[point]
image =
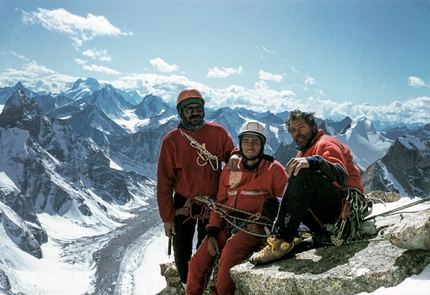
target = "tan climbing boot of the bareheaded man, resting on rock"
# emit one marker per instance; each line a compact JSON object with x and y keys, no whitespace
{"x":275,"y":249}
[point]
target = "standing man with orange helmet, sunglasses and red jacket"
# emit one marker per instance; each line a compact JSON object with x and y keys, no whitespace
{"x":189,"y":165}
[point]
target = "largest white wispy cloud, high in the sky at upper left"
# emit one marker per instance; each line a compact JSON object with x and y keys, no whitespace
{"x":78,"y":28}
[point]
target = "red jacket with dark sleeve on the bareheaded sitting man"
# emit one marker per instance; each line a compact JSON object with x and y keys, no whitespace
{"x":334,"y":161}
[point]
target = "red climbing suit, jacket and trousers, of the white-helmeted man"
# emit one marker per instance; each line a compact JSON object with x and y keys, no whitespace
{"x":245,"y":190}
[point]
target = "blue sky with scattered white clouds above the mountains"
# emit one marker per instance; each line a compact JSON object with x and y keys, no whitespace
{"x":337,"y":58}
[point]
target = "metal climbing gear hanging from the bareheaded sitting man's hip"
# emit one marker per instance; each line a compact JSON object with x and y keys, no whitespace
{"x":351,"y":226}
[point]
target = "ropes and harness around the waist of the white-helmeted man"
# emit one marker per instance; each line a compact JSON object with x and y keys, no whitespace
{"x":237,"y":222}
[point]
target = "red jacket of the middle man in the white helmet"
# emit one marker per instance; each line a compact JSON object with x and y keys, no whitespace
{"x":247,"y":190}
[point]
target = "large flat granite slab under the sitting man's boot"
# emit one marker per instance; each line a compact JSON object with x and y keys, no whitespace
{"x":348,"y":269}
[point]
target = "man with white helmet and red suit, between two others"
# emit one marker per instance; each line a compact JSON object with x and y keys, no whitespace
{"x":257,"y":178}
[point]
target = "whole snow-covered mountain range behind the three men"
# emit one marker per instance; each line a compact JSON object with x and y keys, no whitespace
{"x":77,"y":175}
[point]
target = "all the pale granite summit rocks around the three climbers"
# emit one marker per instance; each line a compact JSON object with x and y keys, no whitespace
{"x":401,"y":249}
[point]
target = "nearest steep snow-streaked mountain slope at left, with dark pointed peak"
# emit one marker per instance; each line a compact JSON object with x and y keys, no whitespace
{"x":50,"y":173}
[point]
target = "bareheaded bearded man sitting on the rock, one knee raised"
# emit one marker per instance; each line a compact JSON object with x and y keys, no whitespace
{"x":318,"y":180}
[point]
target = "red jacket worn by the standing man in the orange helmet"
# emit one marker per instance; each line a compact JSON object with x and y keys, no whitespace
{"x":183,"y":170}
